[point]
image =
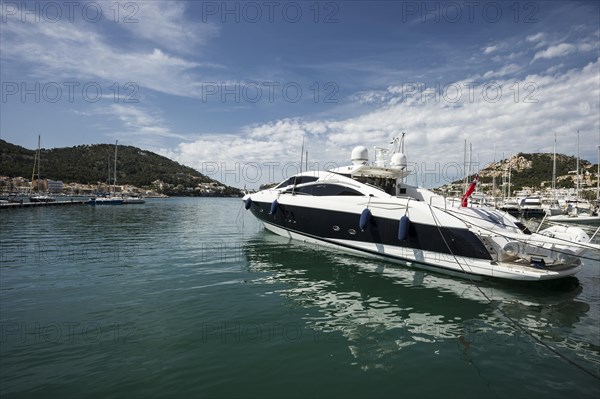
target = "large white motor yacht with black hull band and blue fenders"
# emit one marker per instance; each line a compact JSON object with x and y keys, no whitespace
{"x":369,"y":209}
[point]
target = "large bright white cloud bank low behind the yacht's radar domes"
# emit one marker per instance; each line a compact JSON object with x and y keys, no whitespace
{"x":524,"y":118}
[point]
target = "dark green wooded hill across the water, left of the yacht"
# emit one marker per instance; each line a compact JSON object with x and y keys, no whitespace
{"x":90,"y":164}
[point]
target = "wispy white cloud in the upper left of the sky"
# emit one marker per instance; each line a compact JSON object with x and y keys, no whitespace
{"x":67,"y":50}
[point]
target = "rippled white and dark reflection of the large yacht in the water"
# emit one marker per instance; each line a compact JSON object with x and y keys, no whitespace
{"x":380,"y":307}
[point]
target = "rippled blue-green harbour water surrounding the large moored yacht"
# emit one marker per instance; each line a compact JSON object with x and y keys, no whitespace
{"x":191,"y":297}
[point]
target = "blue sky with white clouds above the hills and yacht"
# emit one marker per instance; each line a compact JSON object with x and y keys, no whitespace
{"x":233,"y":88}
